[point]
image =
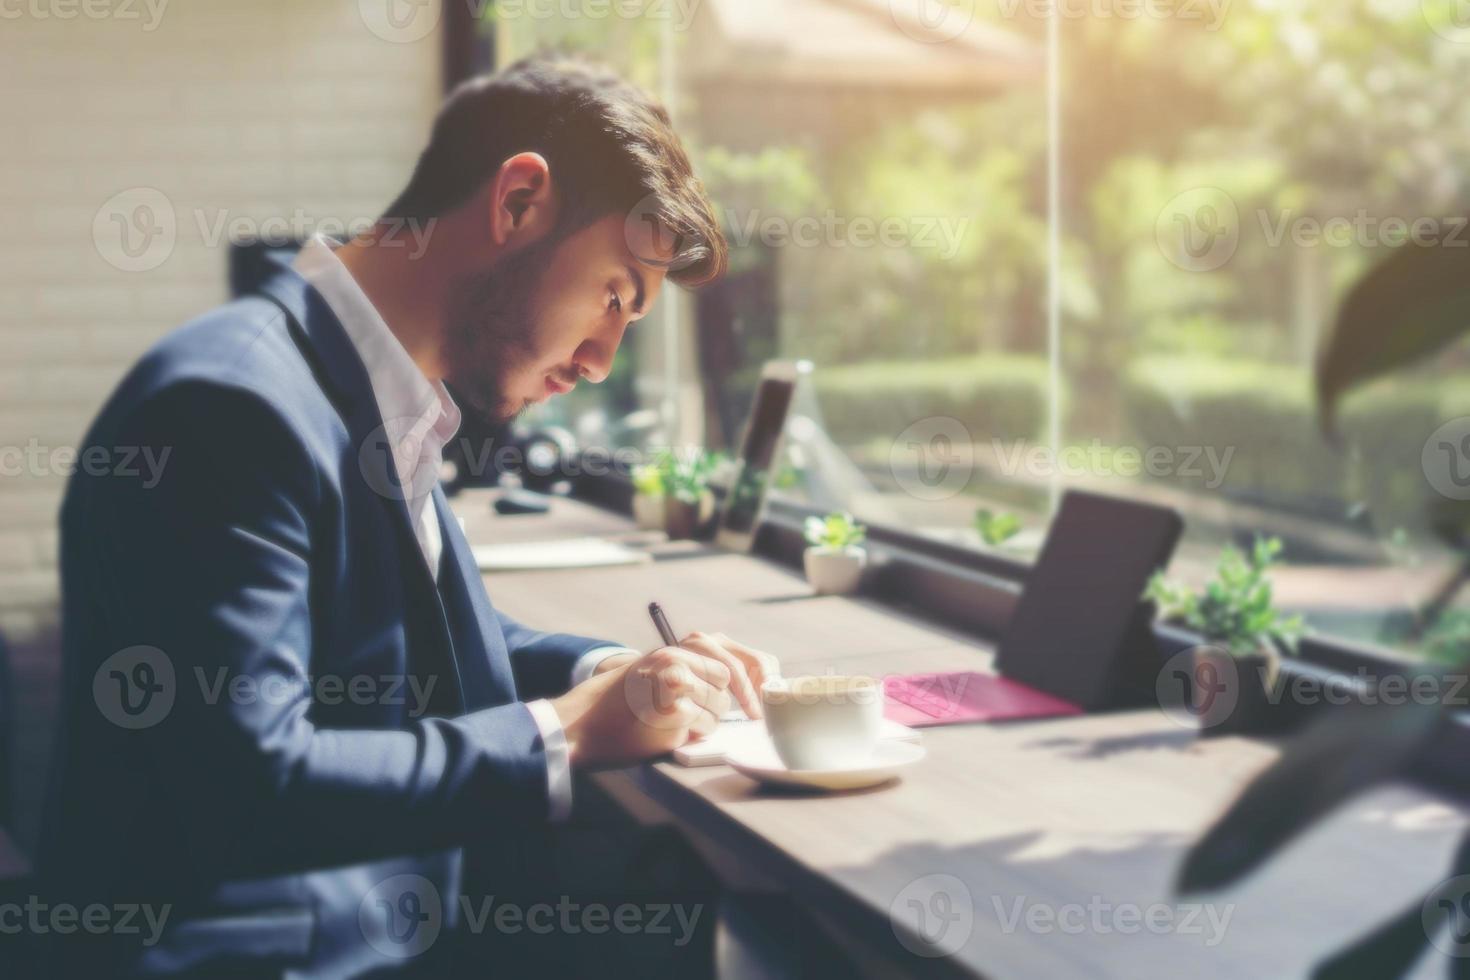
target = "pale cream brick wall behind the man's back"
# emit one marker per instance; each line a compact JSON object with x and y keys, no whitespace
{"x":209,"y":114}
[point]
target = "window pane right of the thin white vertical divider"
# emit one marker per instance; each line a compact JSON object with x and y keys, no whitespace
{"x":1227,"y":180}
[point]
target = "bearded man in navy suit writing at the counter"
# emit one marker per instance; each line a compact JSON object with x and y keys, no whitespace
{"x":289,"y":702}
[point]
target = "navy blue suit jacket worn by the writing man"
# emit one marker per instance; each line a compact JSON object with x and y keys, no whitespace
{"x":239,"y":740}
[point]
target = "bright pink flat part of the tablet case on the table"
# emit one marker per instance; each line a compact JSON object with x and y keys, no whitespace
{"x":953,"y":699}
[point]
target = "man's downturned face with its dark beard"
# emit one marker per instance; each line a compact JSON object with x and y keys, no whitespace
{"x":546,"y":317}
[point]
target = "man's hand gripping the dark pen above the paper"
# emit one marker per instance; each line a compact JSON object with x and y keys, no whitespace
{"x":645,"y":707}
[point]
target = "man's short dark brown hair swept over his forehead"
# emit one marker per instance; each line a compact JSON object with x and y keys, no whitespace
{"x":611,"y":148}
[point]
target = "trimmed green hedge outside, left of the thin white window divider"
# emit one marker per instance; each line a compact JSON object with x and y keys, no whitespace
{"x":996,"y":396}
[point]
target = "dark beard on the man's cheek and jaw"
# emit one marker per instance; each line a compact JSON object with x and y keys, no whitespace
{"x":490,"y":331}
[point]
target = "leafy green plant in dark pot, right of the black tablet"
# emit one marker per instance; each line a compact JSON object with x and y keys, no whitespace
{"x":1236,"y":672}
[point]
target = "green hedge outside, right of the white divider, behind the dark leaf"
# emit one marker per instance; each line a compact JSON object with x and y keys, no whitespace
{"x":1268,"y":415}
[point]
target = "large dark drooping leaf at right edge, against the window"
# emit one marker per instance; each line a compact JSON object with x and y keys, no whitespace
{"x":1413,"y":305}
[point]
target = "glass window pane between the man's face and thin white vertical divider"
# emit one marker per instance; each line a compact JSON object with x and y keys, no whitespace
{"x":877,"y":171}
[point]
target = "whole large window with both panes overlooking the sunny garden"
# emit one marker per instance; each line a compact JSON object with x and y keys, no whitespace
{"x":1141,"y":321}
